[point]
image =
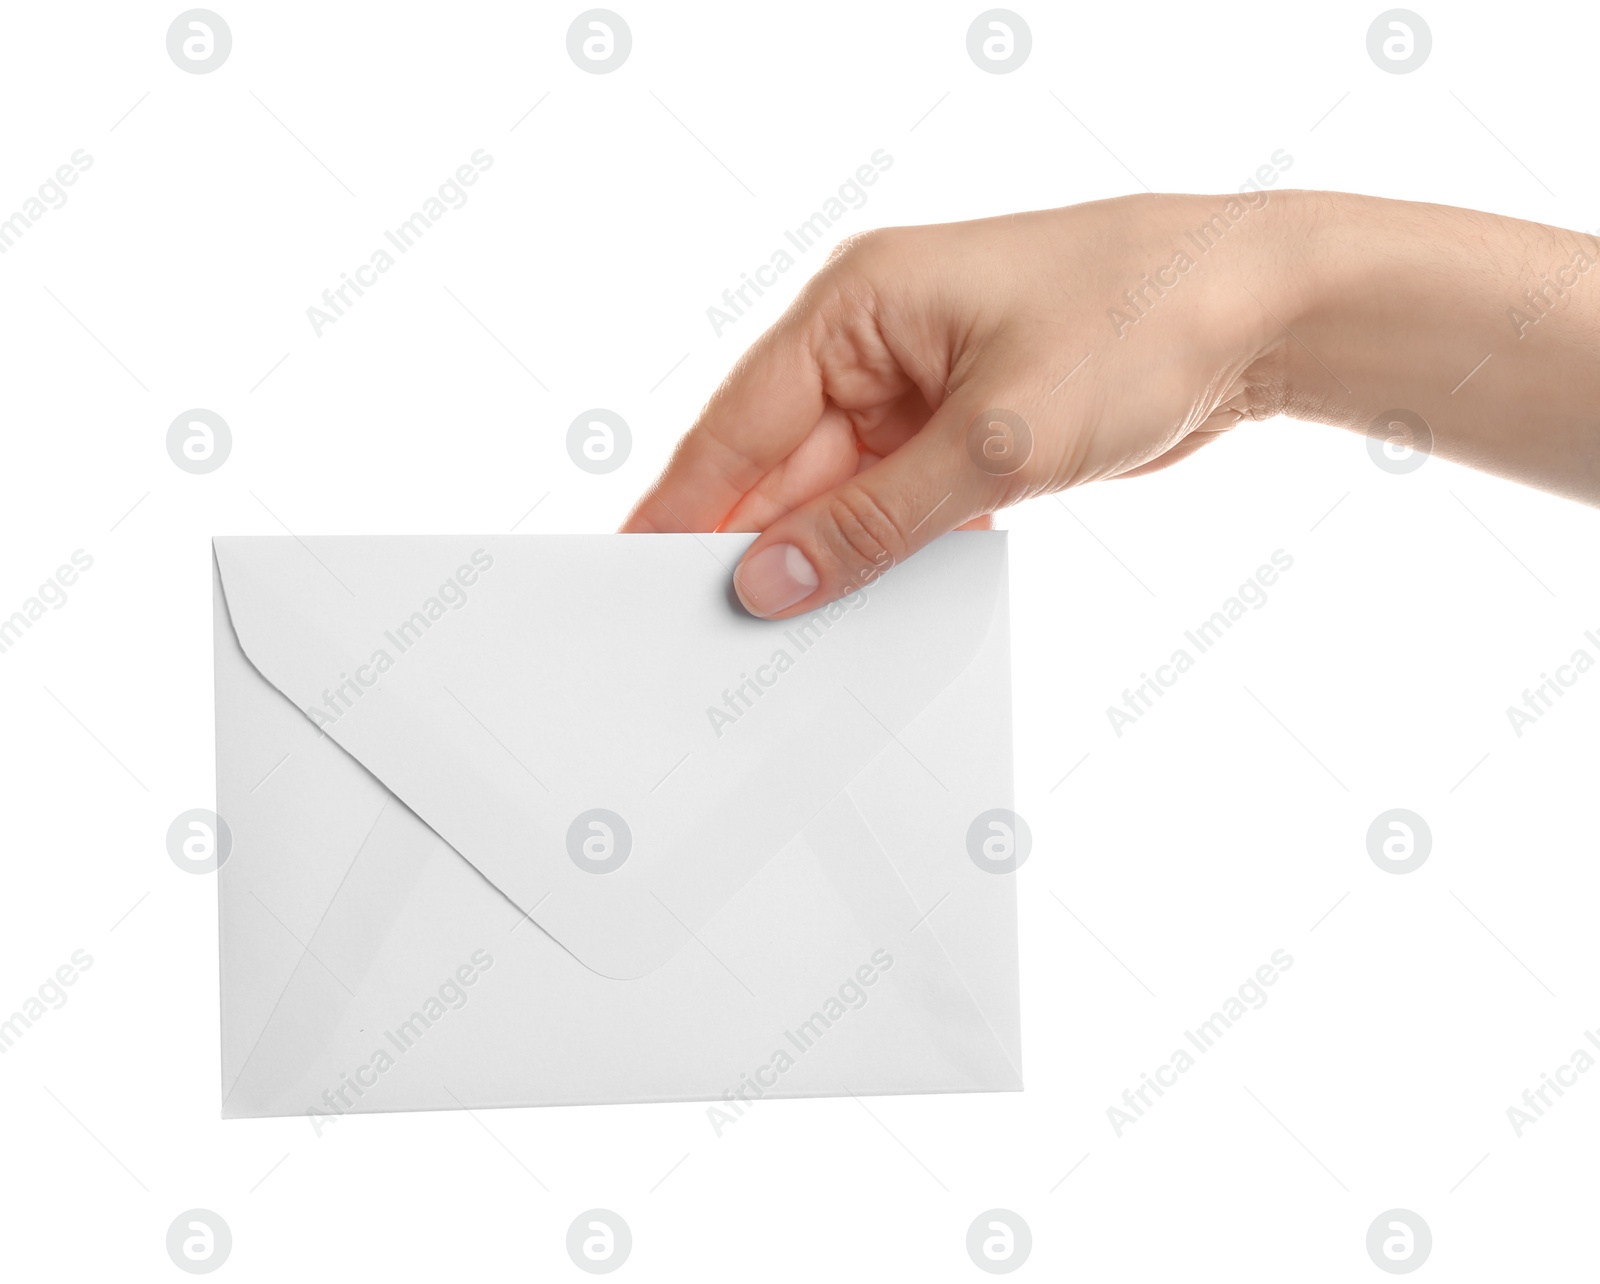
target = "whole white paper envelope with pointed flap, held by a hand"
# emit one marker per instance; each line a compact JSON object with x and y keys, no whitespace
{"x":420,"y":907}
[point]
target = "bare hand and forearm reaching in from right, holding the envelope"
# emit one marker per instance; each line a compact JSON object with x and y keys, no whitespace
{"x":863,"y":425}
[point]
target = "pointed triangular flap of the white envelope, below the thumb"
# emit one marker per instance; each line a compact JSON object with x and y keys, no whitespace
{"x":551,"y":704}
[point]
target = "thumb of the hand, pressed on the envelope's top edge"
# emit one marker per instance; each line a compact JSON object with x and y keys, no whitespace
{"x":959,"y":467}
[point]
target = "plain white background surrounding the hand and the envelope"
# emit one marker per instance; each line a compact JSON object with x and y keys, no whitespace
{"x":1177,"y":859}
